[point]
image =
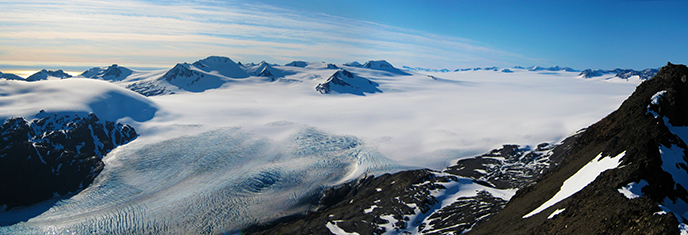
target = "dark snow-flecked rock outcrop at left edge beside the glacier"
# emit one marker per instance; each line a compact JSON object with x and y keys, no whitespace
{"x":54,"y":155}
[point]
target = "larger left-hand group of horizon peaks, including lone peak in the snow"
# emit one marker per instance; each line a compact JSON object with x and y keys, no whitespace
{"x":216,"y":71}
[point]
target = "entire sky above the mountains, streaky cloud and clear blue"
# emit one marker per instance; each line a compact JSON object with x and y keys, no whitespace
{"x":76,"y":35}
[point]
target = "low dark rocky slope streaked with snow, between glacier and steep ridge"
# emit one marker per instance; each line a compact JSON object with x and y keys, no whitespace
{"x":412,"y":201}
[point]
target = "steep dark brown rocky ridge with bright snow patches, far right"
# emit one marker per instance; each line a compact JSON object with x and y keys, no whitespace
{"x":640,"y":190}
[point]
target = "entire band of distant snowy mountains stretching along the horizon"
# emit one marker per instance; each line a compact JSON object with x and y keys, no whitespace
{"x":214,"y":71}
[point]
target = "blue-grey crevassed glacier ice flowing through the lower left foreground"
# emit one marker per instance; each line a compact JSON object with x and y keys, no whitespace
{"x":215,"y":182}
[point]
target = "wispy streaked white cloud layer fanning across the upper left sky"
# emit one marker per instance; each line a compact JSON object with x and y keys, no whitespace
{"x":159,"y":34}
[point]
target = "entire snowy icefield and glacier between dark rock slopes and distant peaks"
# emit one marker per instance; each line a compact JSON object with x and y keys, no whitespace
{"x":254,"y":150}
